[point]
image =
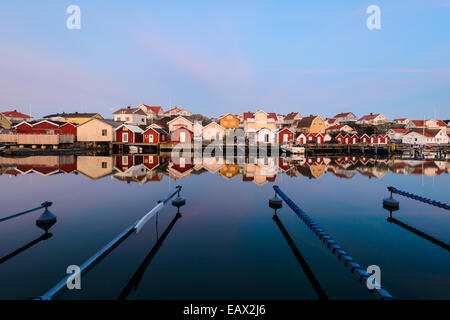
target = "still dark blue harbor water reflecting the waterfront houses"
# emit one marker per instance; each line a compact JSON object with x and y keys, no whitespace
{"x":226,"y":244}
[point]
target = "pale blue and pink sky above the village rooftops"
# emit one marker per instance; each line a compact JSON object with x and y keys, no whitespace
{"x":215,"y":57}
